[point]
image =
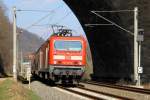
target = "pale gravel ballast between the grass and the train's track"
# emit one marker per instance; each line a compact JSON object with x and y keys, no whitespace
{"x":47,"y":92}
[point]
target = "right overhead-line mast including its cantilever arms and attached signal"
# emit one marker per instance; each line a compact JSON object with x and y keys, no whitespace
{"x":137,"y":39}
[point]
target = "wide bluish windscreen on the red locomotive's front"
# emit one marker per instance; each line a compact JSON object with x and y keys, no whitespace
{"x":68,"y":45}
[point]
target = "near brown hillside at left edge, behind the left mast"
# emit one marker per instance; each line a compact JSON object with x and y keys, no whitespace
{"x":5,"y":41}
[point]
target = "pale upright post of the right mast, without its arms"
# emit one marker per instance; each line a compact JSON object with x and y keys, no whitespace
{"x":135,"y":45}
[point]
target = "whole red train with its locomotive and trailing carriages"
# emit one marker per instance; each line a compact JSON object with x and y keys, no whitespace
{"x":62,"y":58}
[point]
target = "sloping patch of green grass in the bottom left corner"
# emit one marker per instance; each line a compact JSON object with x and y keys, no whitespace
{"x":10,"y":90}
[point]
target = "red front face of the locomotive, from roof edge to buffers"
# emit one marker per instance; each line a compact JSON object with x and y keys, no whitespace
{"x":67,"y":58}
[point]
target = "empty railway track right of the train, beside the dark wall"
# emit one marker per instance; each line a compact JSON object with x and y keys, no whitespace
{"x":127,"y":88}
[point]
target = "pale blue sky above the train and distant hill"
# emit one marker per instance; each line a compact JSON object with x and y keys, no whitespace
{"x":57,"y":12}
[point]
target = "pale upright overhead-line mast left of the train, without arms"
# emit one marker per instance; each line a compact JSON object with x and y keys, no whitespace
{"x":14,"y":44}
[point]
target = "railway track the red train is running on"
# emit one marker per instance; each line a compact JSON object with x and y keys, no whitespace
{"x":93,"y":94}
